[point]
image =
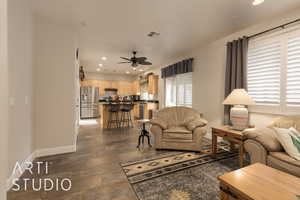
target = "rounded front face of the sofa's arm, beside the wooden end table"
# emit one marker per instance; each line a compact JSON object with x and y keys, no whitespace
{"x":257,"y":152}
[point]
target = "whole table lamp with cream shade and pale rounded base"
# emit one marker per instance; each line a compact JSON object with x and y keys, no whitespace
{"x":239,"y":115}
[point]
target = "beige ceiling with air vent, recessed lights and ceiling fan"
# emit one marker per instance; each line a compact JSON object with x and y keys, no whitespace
{"x":114,"y":28}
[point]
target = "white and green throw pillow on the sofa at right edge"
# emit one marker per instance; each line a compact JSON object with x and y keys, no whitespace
{"x":289,"y":142}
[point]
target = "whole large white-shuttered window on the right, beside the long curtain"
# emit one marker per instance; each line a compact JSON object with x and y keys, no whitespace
{"x":273,"y":73}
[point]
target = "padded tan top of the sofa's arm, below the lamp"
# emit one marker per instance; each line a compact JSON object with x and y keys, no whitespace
{"x":266,"y":137}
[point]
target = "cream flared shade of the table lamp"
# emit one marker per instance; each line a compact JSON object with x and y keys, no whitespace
{"x":239,"y":97}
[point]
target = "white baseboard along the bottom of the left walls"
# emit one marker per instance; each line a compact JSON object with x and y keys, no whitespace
{"x":37,"y":154}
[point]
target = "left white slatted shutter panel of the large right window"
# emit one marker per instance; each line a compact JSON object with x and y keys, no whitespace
{"x":264,"y":61}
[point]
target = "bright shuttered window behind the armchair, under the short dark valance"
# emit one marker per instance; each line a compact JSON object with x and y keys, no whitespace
{"x":178,"y":90}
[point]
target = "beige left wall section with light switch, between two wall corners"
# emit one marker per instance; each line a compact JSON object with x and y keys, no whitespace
{"x":20,"y":62}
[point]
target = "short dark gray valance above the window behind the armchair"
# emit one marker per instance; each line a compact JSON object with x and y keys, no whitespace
{"x":182,"y":67}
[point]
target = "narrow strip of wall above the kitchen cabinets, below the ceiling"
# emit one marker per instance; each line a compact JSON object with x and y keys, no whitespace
{"x":109,"y":77}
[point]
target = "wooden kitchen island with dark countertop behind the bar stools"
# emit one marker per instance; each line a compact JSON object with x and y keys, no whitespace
{"x":141,"y":110}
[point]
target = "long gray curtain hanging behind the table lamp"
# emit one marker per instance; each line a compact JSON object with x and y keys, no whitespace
{"x":236,"y":69}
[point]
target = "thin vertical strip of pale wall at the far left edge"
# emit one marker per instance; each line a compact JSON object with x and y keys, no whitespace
{"x":3,"y":99}
